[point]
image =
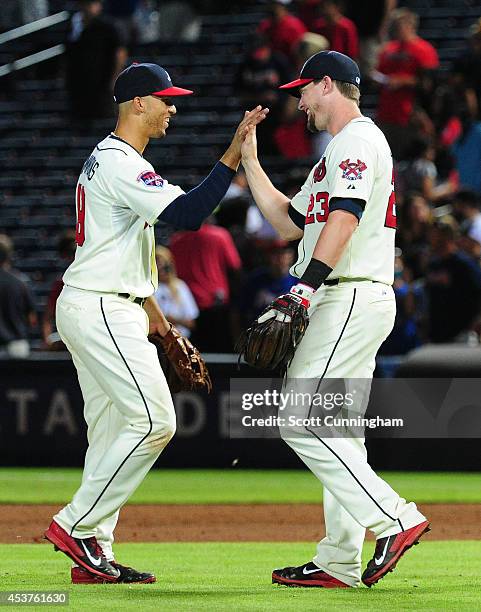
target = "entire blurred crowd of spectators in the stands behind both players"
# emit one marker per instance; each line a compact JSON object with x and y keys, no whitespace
{"x":213,"y":282}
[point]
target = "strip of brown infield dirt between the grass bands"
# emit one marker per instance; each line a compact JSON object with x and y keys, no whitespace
{"x":228,"y":523}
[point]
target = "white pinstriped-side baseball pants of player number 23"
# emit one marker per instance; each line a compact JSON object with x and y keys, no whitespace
{"x":348,"y":323}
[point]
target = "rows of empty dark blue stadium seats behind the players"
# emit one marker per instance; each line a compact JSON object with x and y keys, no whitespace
{"x":41,"y":153}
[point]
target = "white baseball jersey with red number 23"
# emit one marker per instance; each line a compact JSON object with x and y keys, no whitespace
{"x":357,"y":164}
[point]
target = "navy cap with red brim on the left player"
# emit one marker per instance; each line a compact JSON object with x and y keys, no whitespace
{"x":145,"y":80}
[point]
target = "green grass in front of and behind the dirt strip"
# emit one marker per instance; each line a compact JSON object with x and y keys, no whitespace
{"x":224,"y":576}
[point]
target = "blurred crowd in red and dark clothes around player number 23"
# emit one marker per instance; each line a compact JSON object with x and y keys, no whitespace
{"x":431,"y":118}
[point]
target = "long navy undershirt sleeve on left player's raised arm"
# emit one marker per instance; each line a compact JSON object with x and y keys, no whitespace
{"x":190,"y":210}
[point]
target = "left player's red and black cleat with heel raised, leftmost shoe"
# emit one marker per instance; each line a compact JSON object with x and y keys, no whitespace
{"x":86,"y":552}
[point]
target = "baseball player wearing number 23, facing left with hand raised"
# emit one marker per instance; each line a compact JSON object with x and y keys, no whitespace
{"x":345,"y":218}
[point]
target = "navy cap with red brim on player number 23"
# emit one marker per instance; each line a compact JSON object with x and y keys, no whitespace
{"x":336,"y":65}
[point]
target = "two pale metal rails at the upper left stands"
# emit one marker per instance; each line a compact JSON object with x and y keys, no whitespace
{"x":29,"y":28}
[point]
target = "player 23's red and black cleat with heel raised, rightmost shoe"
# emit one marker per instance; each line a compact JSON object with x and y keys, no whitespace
{"x":389,"y":550}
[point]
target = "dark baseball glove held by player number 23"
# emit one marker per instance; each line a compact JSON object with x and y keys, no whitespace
{"x":270,"y":342}
